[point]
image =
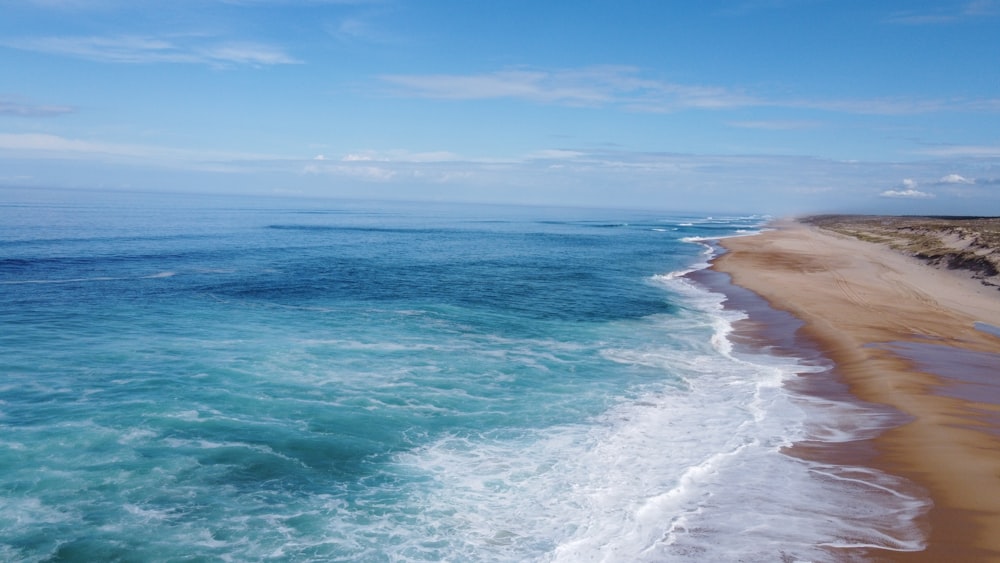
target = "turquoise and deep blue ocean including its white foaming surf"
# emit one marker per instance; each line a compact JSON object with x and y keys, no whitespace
{"x":209,"y":378}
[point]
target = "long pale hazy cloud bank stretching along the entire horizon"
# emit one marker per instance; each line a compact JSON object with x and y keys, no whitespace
{"x":601,"y":177}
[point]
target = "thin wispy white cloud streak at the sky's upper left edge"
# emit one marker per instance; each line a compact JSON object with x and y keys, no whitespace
{"x":139,"y":49}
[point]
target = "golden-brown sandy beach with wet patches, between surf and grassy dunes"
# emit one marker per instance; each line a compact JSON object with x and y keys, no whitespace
{"x":903,"y":334}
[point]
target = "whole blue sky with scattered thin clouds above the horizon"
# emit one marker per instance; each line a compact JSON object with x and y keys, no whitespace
{"x":742,"y":106}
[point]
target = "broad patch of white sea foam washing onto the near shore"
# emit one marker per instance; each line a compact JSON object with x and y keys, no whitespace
{"x":692,"y":471}
